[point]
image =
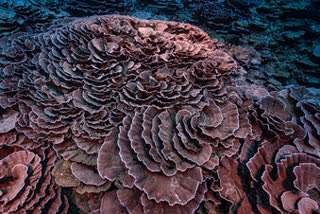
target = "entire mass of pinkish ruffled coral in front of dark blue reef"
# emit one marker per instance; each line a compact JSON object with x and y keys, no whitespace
{"x":115,"y":114}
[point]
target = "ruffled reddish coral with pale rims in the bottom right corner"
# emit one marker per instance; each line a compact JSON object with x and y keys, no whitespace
{"x":280,"y":184}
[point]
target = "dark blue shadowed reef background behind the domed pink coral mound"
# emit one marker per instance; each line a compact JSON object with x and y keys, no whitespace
{"x":283,"y":34}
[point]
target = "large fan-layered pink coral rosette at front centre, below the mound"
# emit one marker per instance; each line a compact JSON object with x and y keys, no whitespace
{"x":170,"y":147}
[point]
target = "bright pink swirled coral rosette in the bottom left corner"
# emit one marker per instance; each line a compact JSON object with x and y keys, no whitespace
{"x":26,"y":184}
